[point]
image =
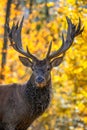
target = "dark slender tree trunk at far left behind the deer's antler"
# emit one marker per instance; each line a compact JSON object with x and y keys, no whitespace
{"x":4,"y":49}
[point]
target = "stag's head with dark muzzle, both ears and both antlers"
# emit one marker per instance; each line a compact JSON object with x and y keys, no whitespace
{"x":41,"y":68}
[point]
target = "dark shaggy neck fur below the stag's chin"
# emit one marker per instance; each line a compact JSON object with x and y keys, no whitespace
{"x":39,"y":98}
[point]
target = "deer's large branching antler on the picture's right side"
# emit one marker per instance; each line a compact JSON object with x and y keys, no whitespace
{"x":72,"y":32}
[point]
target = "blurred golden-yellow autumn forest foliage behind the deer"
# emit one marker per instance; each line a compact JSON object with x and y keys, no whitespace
{"x":45,"y":20}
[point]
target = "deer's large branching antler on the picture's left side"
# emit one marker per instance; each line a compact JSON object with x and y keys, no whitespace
{"x":15,"y":38}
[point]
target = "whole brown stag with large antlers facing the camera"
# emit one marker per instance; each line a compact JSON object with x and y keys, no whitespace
{"x":21,"y":104}
